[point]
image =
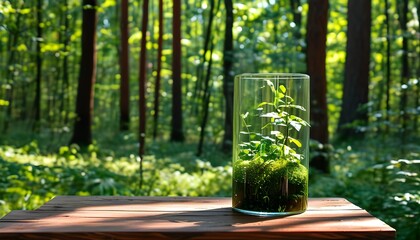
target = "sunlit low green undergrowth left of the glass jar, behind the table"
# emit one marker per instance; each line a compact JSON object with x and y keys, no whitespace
{"x":29,"y":178}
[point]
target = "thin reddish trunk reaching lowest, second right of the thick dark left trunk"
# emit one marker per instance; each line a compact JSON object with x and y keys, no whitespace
{"x":142,"y":78}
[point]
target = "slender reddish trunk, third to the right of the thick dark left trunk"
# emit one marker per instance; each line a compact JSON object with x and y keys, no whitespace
{"x":159,"y":70}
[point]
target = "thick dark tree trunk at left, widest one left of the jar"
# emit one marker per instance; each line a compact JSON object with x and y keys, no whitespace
{"x":82,"y":133}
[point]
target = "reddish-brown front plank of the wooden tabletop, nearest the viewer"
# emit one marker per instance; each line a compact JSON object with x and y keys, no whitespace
{"x":187,"y":222}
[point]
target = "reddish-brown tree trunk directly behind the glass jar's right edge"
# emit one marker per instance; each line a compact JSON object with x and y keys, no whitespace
{"x":316,"y":39}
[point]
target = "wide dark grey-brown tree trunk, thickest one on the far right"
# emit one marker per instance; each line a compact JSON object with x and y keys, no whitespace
{"x":356,"y":77}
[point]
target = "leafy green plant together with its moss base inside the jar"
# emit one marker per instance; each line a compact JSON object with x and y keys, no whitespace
{"x":268,"y":174}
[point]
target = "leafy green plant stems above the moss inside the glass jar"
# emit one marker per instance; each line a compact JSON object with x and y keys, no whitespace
{"x":279,"y":144}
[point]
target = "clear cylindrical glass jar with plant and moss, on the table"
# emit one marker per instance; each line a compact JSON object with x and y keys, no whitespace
{"x":270,"y":144}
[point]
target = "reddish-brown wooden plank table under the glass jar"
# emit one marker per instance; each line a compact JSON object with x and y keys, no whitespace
{"x":100,"y":217}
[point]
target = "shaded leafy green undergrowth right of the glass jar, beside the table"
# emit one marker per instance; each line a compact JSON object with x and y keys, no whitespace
{"x":367,"y":174}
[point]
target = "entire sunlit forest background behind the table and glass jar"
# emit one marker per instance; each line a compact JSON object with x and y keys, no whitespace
{"x":135,"y":97}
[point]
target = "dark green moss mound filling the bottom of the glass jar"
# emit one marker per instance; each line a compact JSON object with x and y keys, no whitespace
{"x":273,"y":185}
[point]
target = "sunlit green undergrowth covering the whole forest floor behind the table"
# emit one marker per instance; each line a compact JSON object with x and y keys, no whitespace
{"x":377,"y":176}
